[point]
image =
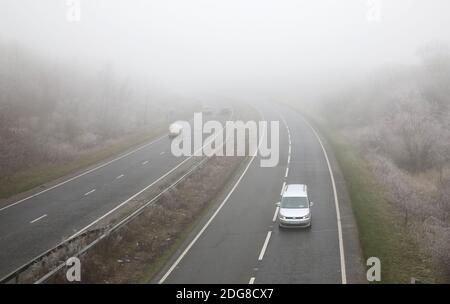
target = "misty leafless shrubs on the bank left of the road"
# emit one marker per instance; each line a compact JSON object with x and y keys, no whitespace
{"x":50,"y":115}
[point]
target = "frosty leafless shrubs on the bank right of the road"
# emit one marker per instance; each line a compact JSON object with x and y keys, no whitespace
{"x":400,"y":121}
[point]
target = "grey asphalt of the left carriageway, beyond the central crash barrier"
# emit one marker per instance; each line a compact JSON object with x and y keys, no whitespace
{"x":31,"y":226}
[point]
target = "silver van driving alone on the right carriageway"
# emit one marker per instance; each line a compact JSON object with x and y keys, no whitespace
{"x":295,"y":207}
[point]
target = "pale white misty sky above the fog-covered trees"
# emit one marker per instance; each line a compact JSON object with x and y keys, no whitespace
{"x":197,"y":43}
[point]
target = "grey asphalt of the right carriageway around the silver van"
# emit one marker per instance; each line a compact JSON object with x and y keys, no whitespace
{"x":241,"y":242}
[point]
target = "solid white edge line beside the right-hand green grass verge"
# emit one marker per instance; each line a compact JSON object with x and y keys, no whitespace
{"x":336,"y":202}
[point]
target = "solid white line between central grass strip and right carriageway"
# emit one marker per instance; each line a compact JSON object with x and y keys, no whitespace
{"x":191,"y":244}
